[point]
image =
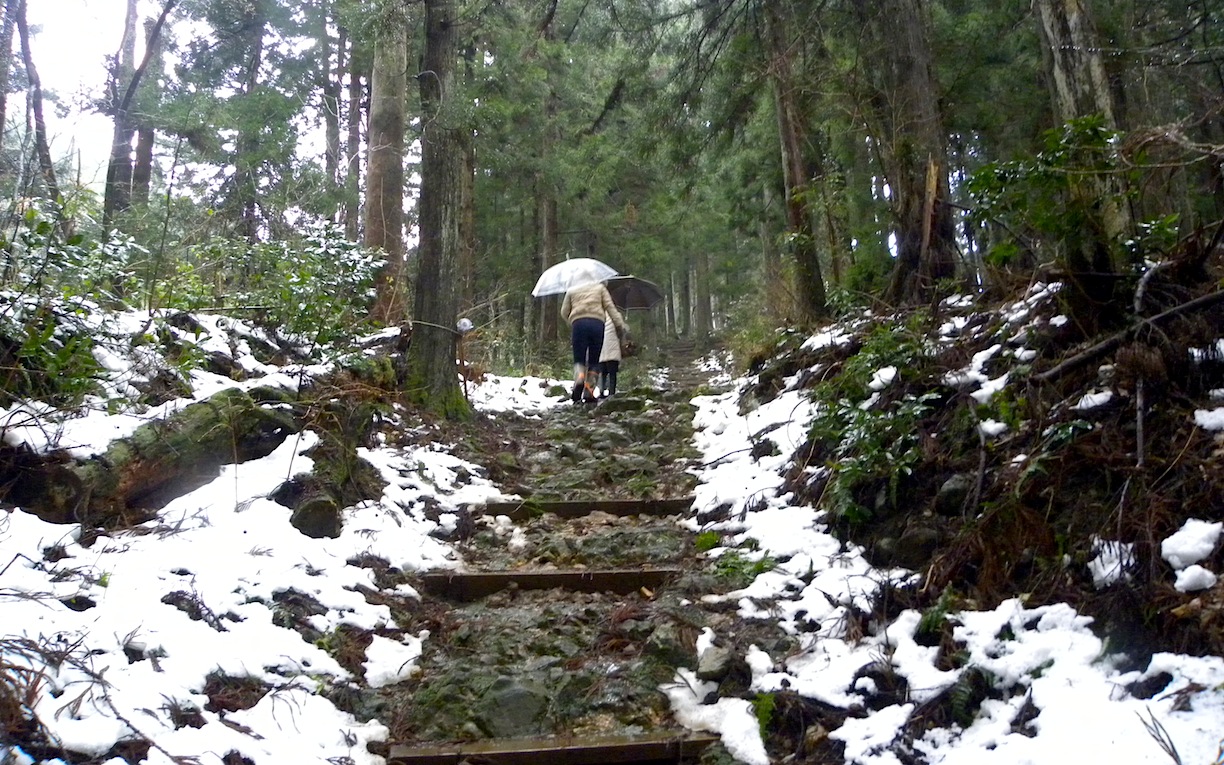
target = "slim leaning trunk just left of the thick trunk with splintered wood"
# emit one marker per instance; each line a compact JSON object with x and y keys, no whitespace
{"x":810,"y":283}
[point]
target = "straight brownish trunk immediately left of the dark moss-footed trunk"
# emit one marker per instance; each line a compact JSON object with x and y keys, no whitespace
{"x":385,"y":168}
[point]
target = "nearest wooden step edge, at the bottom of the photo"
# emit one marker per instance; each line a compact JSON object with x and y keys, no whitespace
{"x":659,"y":747}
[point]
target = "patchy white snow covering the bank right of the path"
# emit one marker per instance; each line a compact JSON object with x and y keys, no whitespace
{"x":1045,"y":655}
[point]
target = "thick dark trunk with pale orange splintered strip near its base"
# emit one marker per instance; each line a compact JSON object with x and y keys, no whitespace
{"x":909,"y":130}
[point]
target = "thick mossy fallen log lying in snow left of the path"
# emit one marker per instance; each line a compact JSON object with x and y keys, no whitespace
{"x":161,"y":461}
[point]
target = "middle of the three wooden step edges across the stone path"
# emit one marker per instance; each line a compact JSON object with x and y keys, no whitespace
{"x":474,"y":586}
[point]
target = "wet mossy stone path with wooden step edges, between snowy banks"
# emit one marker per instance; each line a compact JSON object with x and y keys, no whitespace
{"x":576,"y":604}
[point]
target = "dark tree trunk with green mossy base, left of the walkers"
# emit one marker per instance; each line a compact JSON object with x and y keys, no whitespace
{"x":433,"y":379}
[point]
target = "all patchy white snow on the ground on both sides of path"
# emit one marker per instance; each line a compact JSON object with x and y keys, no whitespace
{"x":121,"y":668}
